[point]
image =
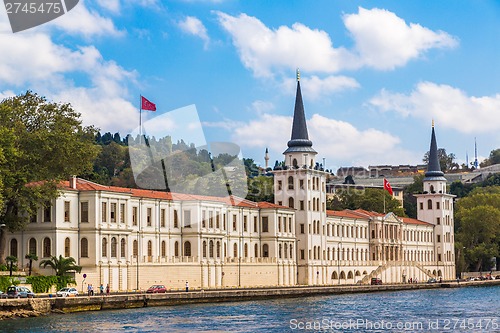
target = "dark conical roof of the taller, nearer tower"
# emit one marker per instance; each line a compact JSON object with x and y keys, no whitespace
{"x":299,"y":141}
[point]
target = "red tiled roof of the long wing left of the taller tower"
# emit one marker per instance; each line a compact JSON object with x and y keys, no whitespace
{"x":85,"y":185}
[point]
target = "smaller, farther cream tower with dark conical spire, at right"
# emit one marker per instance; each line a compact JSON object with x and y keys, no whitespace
{"x":435,"y":206}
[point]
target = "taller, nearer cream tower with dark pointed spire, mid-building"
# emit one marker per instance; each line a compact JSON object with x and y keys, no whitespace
{"x":300,"y":185}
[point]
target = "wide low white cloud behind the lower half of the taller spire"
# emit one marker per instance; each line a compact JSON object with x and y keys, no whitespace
{"x":339,"y":142}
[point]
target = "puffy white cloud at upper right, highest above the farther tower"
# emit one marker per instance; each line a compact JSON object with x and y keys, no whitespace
{"x":385,"y":41}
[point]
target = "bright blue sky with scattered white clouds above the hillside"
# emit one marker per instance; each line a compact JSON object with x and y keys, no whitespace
{"x":373,"y":74}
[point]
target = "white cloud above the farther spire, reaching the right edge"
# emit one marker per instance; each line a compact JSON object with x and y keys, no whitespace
{"x":449,"y":106}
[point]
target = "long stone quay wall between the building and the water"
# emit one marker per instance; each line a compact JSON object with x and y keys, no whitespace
{"x":24,"y":308}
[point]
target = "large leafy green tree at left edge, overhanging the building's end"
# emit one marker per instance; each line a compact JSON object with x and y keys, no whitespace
{"x":41,"y":143}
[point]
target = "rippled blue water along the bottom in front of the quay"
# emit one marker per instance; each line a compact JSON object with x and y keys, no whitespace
{"x":444,"y":310}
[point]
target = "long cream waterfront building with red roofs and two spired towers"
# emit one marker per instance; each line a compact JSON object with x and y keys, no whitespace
{"x":132,"y":238}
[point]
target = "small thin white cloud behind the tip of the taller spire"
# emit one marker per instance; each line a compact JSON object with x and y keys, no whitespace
{"x":315,"y":87}
